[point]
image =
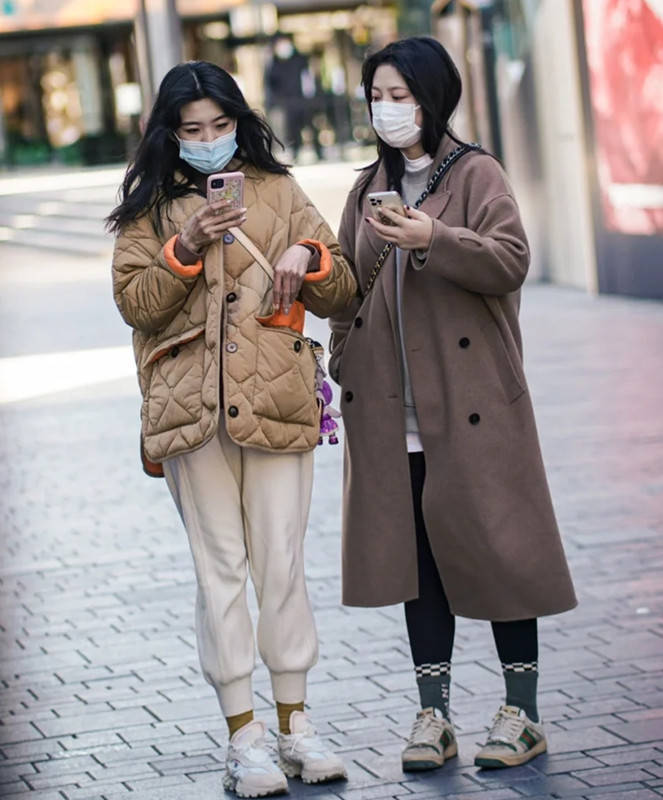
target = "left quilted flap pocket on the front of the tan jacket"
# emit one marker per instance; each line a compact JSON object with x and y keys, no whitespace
{"x":176,"y":369}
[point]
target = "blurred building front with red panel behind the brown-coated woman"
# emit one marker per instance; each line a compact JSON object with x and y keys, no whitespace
{"x":568,"y":94}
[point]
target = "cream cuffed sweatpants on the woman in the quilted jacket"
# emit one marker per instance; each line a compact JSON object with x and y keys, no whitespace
{"x":247,"y":508}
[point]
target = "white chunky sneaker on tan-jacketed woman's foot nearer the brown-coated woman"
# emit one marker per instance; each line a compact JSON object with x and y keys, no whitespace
{"x":303,"y":754}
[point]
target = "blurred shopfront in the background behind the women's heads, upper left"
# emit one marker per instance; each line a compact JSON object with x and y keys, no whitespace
{"x":72,"y":87}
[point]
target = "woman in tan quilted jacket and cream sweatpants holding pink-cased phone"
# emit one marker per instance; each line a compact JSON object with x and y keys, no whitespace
{"x":215,"y":295}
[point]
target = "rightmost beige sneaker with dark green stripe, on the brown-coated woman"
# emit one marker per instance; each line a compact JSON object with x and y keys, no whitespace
{"x":512,"y":740}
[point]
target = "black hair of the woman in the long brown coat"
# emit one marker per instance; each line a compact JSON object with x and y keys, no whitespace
{"x":432,"y":77}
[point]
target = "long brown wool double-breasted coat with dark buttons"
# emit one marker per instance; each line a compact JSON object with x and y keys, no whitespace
{"x":486,"y":501}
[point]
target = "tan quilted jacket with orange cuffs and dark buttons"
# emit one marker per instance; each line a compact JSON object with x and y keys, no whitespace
{"x":197,"y":341}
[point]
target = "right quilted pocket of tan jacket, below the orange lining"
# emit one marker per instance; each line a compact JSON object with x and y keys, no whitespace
{"x":284,"y":389}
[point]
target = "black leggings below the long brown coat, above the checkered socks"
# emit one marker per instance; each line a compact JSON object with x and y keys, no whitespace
{"x":430,"y":624}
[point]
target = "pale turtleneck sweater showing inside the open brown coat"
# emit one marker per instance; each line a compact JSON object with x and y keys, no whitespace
{"x":414,"y":182}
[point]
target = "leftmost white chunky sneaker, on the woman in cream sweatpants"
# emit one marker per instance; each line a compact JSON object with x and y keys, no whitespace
{"x":250,"y":771}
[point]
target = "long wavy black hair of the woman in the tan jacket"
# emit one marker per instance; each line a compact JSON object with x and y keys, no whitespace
{"x":150,"y":182}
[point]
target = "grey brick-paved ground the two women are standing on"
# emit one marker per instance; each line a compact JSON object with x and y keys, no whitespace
{"x":102,"y":694}
